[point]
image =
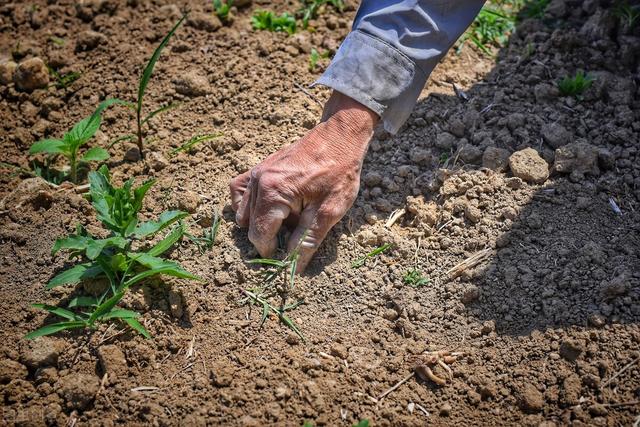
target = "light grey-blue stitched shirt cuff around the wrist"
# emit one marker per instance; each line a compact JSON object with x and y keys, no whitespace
{"x":377,"y":75}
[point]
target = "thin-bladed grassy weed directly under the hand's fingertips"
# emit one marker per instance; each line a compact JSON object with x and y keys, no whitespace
{"x":286,"y":269}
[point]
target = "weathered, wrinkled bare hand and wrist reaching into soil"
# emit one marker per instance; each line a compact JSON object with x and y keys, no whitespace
{"x":310,"y":184}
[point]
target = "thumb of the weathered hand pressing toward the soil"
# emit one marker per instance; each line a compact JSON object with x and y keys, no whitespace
{"x":315,"y":222}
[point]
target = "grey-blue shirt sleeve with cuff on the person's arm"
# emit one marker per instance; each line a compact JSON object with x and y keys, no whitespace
{"x":394,"y":45}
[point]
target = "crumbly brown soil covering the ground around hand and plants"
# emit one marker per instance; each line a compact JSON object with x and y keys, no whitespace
{"x":546,"y":316}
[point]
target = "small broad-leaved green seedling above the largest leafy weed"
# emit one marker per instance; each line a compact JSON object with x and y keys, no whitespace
{"x":73,"y":140}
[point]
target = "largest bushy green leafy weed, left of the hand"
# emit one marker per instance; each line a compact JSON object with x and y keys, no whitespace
{"x":118,"y":261}
